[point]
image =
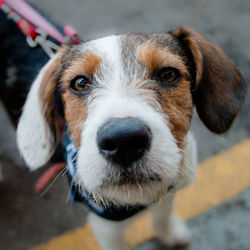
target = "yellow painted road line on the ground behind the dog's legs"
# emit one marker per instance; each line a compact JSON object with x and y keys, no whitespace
{"x":219,"y":178}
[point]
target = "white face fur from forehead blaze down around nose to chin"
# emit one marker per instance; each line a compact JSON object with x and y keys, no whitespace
{"x":115,"y":98}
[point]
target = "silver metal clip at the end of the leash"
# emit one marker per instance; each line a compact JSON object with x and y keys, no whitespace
{"x":48,"y":46}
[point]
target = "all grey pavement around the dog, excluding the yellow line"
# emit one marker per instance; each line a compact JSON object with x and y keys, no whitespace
{"x":27,"y":220}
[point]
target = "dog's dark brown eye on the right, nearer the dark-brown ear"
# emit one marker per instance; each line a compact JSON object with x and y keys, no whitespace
{"x":168,"y":75}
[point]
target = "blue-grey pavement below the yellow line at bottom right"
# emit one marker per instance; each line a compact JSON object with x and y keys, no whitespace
{"x":227,"y":227}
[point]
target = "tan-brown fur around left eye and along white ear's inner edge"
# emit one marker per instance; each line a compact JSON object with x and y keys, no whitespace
{"x":75,"y":107}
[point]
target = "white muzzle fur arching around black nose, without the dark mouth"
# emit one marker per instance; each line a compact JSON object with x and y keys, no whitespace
{"x":163,"y":158}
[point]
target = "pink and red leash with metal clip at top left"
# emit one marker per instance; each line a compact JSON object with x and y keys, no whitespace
{"x":36,"y":28}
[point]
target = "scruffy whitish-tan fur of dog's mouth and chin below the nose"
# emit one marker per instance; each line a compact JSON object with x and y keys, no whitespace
{"x":139,"y":186}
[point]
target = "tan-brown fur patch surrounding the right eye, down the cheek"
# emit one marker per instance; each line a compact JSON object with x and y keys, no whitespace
{"x":175,"y":101}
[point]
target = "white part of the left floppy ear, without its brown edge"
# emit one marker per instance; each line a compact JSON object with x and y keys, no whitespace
{"x":35,"y":139}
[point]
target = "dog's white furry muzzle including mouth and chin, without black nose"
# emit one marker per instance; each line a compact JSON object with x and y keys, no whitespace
{"x":146,"y":179}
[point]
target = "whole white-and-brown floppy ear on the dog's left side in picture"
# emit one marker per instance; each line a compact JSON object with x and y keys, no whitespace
{"x":37,"y":128}
